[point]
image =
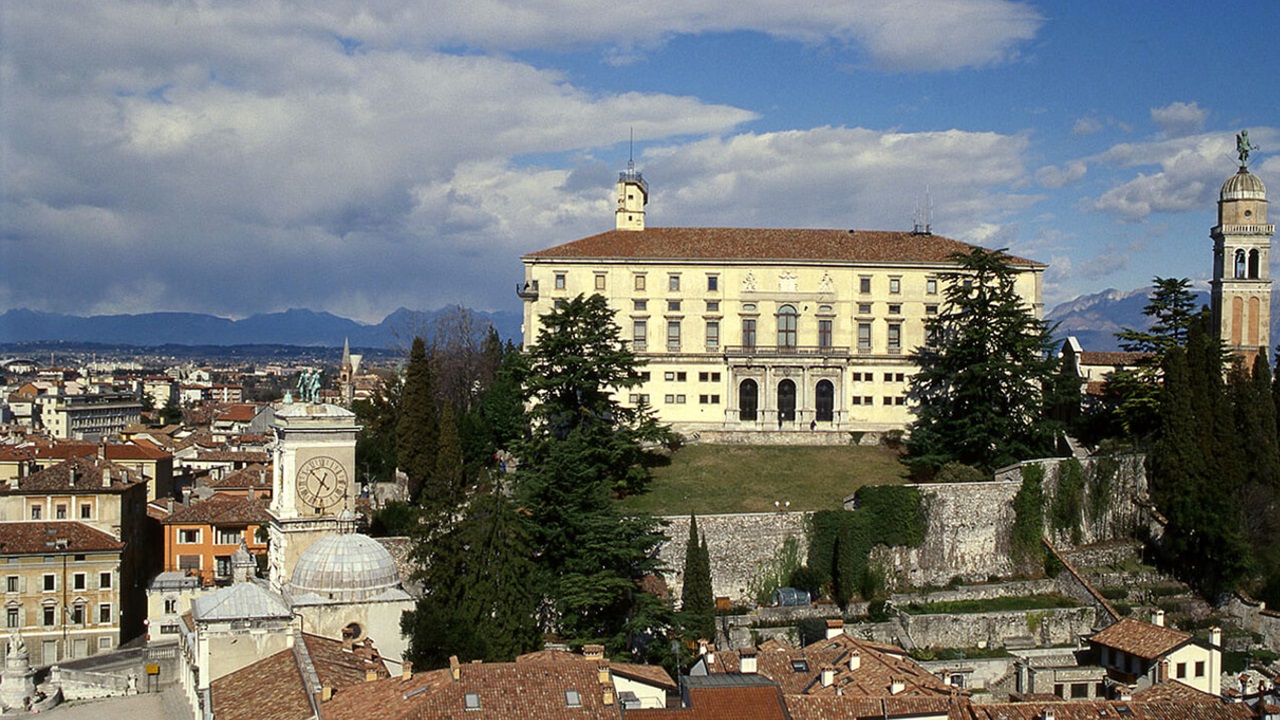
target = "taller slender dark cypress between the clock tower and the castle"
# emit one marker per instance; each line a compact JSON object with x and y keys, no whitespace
{"x":418,"y":426}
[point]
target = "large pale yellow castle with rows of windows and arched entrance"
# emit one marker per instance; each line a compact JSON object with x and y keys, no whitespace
{"x":751,"y":330}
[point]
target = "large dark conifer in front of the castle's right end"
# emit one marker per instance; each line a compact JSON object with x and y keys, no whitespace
{"x":981,"y":391}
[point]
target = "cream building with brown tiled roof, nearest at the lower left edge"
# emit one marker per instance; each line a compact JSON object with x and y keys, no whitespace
{"x":63,"y":589}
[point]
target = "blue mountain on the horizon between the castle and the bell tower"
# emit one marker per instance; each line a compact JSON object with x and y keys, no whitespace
{"x":1095,"y":320}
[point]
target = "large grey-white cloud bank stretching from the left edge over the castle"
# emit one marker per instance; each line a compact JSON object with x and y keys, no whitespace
{"x":253,"y":158}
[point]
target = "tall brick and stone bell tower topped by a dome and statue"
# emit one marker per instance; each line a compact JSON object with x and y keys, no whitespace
{"x":1242,"y":262}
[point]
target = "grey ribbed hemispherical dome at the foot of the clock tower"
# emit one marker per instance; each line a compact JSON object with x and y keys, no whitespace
{"x":345,"y":567}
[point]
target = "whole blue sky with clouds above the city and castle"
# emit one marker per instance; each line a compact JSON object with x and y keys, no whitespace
{"x":249,"y":158}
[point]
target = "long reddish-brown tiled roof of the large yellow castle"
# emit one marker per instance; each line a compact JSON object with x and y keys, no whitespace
{"x":879,"y":248}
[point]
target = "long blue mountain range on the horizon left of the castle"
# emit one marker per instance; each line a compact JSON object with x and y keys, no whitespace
{"x":292,"y":327}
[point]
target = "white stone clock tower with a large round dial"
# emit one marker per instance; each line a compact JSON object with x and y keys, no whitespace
{"x":313,"y":484}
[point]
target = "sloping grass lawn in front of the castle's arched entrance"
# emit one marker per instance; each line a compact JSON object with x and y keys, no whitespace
{"x":734,"y":479}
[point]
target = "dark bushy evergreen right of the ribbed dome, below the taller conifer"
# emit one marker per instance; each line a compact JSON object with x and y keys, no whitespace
{"x":482,"y":593}
